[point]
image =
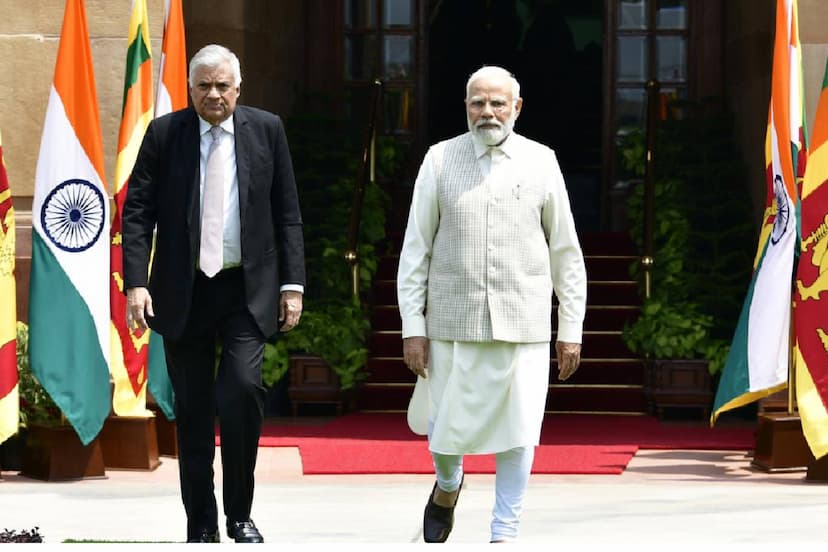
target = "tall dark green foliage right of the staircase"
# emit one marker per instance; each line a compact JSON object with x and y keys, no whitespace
{"x":702,"y":240}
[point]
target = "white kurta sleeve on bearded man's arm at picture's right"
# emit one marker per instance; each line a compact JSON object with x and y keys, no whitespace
{"x":565,"y":257}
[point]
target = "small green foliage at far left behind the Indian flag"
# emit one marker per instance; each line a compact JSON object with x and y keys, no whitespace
{"x":36,"y":406}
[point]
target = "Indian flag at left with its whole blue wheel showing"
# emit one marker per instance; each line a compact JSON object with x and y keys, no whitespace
{"x":68,"y":299}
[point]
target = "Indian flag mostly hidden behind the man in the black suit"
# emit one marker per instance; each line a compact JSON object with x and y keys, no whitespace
{"x":172,"y":96}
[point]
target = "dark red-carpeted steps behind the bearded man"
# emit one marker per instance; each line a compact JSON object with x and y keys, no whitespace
{"x":610,"y":379}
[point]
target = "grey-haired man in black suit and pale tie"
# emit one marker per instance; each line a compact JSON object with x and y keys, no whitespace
{"x":236,"y":286}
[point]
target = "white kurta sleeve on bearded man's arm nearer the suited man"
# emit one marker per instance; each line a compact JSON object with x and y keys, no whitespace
{"x":415,"y":256}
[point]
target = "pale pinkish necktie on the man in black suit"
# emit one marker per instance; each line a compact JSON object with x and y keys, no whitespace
{"x":212,"y":210}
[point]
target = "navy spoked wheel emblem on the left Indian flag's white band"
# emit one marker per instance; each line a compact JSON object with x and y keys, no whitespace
{"x":73,"y":215}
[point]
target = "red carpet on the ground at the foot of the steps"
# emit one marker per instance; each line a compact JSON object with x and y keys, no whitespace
{"x":570,"y":444}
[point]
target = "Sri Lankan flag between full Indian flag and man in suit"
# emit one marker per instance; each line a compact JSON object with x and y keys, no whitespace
{"x":129,"y":349}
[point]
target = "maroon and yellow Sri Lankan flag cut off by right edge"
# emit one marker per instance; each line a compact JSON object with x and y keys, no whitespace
{"x":810,"y":322}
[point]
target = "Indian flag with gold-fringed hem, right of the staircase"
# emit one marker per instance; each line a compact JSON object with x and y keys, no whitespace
{"x":758,"y":362}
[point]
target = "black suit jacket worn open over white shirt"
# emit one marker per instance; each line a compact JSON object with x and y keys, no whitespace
{"x":163,"y":194}
